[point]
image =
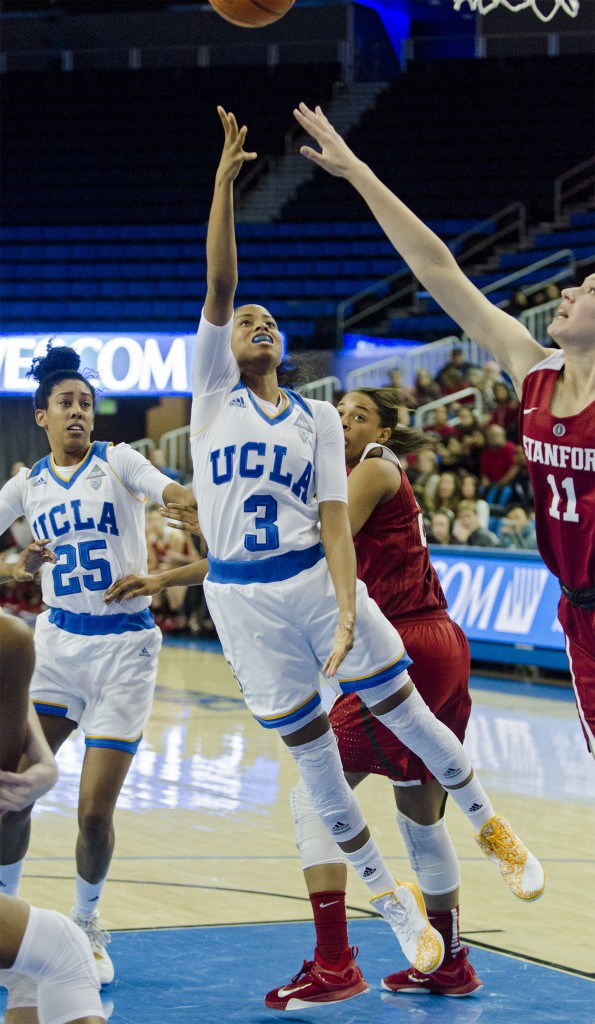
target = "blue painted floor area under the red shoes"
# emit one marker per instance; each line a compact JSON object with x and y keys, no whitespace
{"x":216,"y":975}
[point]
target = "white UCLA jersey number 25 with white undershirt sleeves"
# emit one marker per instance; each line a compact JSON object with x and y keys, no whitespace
{"x":95,"y":520}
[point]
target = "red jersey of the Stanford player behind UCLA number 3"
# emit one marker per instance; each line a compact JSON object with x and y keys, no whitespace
{"x":394,"y":560}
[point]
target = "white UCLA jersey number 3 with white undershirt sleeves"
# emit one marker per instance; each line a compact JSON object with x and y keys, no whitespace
{"x":254,"y":476}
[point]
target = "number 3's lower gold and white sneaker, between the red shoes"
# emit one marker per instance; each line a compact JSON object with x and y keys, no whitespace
{"x":406,"y":913}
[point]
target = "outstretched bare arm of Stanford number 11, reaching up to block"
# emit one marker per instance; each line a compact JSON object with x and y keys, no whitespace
{"x":431,"y":261}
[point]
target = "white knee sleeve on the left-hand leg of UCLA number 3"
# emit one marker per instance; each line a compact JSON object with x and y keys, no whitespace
{"x":331,"y":797}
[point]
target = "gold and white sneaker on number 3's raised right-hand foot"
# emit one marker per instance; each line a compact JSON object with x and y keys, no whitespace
{"x":522,"y":872}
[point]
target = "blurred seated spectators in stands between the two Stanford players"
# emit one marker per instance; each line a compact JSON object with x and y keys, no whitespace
{"x":473,"y":482}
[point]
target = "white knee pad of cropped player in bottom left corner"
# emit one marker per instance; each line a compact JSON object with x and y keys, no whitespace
{"x":58,"y":955}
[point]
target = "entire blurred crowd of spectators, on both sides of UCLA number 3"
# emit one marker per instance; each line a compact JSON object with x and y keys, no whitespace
{"x":472,"y":484}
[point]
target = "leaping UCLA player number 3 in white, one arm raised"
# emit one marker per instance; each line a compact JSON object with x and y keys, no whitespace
{"x":272,"y":489}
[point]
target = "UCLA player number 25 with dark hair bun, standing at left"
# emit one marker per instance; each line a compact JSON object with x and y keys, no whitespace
{"x":96,"y":665}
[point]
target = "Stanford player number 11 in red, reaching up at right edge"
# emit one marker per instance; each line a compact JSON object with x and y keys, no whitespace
{"x":558,"y":393}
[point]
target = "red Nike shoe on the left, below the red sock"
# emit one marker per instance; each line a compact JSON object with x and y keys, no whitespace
{"x":320,"y":983}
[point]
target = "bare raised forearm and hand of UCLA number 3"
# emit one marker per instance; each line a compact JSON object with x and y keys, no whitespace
{"x":222,"y":250}
